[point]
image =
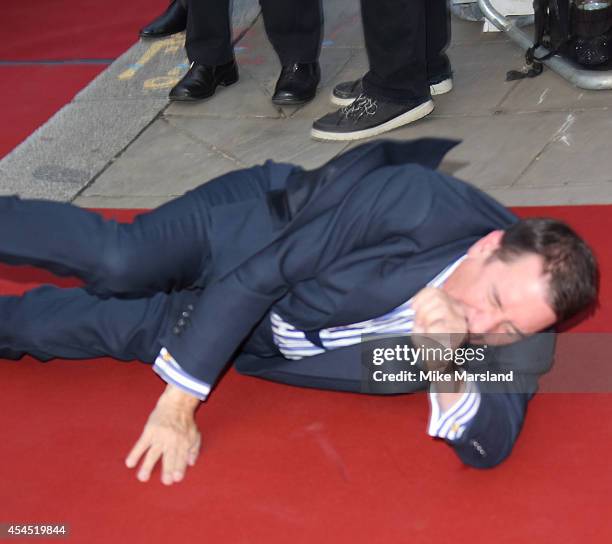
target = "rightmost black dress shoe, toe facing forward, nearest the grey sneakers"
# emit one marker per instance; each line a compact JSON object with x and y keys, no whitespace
{"x":297,"y":84}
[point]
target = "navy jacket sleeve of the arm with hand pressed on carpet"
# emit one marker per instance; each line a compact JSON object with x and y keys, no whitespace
{"x":379,"y":207}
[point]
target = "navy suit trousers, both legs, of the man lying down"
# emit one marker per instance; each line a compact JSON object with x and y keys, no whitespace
{"x":135,"y":275}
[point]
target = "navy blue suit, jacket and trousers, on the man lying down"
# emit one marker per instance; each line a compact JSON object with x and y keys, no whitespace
{"x":329,"y":247}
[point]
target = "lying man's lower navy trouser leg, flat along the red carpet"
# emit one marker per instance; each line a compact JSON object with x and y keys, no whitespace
{"x":50,"y":322}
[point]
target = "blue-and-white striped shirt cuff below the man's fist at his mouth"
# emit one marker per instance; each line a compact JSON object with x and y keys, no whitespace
{"x":452,"y":423}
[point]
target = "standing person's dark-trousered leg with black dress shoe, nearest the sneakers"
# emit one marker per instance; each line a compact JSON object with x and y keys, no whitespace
{"x":295,"y":29}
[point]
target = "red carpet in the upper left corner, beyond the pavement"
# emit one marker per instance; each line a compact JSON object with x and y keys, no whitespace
{"x":81,"y":31}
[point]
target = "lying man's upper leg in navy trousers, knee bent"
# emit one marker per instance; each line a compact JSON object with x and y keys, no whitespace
{"x":162,"y":250}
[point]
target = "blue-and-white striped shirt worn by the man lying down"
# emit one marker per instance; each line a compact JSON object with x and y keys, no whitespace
{"x":294,"y":345}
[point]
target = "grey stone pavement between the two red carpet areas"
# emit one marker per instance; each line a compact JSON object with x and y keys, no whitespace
{"x":120,"y":144}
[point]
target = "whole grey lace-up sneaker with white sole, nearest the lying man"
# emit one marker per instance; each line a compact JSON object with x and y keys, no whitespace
{"x":367,"y":116}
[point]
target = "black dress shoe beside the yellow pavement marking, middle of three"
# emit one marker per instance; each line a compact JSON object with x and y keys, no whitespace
{"x":201,"y":81}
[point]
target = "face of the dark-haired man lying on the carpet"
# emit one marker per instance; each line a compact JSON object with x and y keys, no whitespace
{"x":503,"y":301}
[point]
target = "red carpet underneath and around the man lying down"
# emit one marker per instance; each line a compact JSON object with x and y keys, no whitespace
{"x":280,"y":464}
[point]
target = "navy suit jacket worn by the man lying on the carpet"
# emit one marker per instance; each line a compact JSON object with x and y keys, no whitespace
{"x":350,"y":241}
